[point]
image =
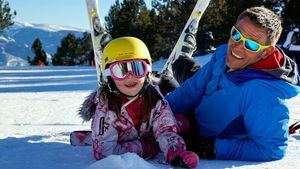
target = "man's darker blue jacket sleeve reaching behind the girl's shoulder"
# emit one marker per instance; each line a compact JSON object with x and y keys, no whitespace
{"x":186,"y":97}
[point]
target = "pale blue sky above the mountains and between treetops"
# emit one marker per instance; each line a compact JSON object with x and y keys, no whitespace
{"x":59,"y":12}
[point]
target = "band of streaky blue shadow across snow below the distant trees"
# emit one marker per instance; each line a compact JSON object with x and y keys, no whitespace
{"x":45,"y":79}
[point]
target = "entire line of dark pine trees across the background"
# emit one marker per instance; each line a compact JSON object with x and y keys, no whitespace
{"x":160,"y":25}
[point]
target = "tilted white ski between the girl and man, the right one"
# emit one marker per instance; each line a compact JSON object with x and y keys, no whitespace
{"x":186,"y":44}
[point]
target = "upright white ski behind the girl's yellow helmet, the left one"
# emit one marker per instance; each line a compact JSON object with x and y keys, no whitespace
{"x":99,"y":36}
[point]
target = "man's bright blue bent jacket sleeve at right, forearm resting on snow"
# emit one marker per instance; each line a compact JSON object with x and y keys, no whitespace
{"x":266,"y":121}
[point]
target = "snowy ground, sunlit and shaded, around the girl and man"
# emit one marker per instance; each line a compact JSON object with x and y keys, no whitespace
{"x":38,"y":110}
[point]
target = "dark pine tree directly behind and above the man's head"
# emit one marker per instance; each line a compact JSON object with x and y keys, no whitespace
{"x":221,"y":15}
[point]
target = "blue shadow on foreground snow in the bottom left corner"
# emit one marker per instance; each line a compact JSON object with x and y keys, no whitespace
{"x":32,"y":152}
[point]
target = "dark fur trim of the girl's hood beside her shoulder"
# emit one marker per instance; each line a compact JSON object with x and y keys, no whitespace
{"x":88,"y":107}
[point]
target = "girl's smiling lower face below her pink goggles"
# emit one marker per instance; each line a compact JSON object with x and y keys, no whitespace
{"x":131,"y":85}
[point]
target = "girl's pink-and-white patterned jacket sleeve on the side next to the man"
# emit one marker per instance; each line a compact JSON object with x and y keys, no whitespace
{"x":165,"y":127}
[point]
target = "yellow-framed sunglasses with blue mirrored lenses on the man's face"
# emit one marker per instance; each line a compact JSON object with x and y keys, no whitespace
{"x":249,"y":45}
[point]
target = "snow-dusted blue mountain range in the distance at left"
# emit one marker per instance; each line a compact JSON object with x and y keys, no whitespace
{"x":16,"y":41}
